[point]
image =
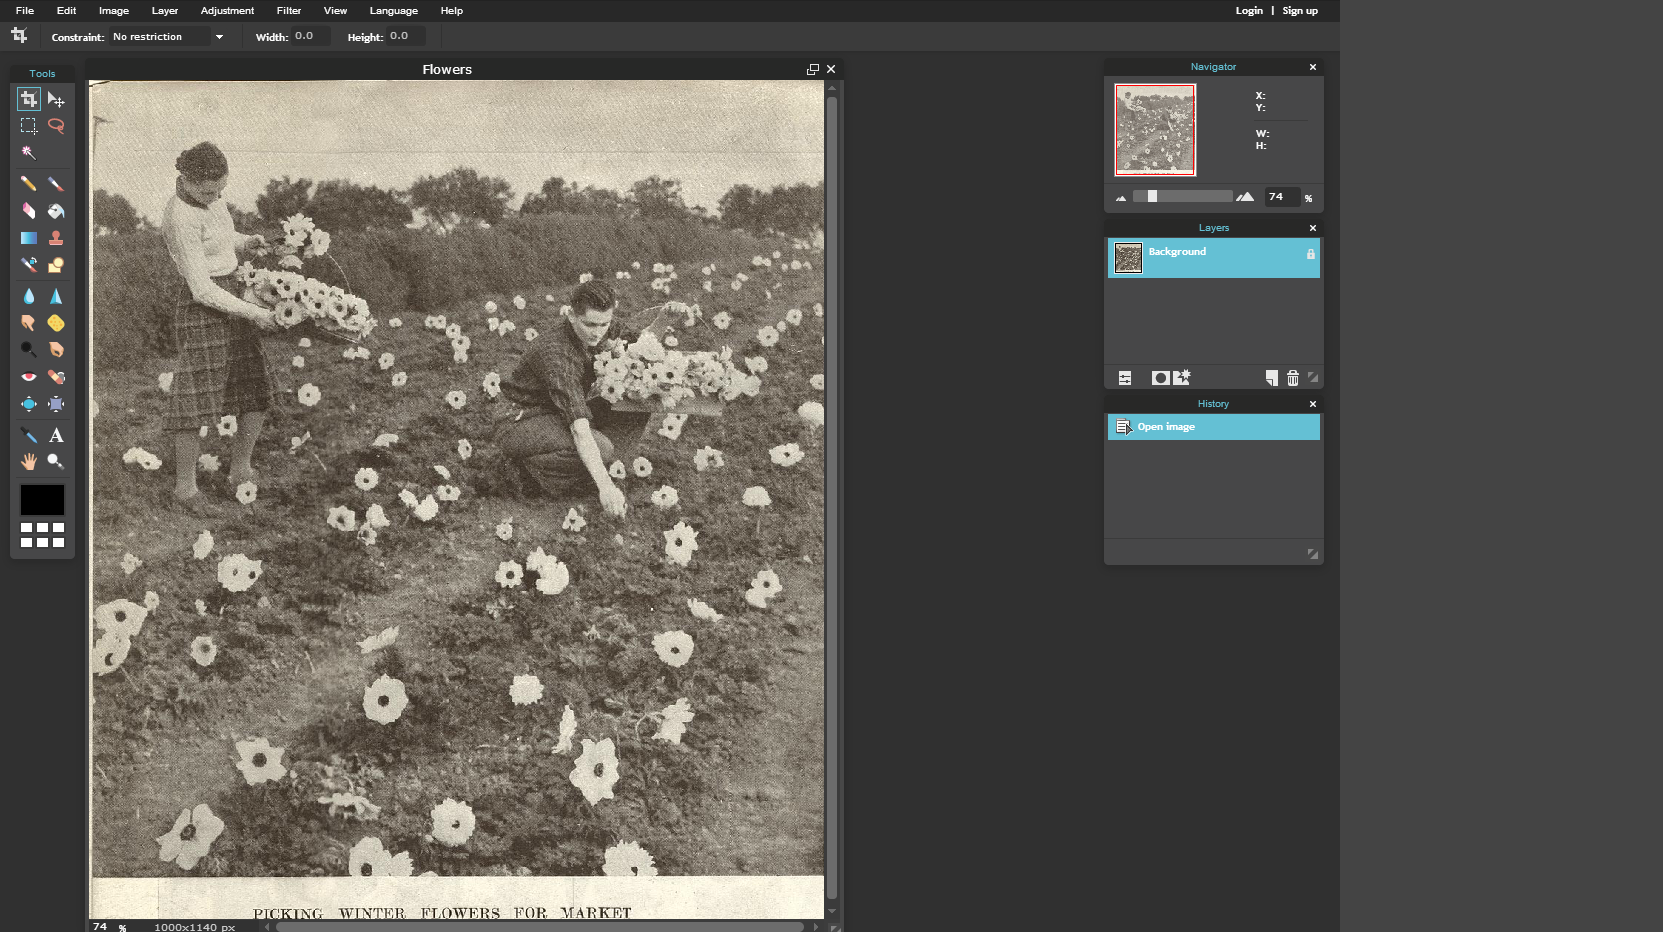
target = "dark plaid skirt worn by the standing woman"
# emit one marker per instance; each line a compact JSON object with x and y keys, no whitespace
{"x":222,"y":367}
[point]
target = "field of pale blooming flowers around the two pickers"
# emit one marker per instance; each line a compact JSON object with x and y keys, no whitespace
{"x":390,"y":657}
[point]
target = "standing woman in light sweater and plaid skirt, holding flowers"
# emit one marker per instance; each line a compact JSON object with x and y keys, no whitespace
{"x":222,"y":367}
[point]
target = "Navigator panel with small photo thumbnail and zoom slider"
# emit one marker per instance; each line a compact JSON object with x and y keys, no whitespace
{"x":1218,"y":136}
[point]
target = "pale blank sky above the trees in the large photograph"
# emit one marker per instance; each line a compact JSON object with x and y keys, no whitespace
{"x":708,"y":136}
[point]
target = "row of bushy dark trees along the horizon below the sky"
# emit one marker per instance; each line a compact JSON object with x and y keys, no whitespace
{"x":463,"y":199}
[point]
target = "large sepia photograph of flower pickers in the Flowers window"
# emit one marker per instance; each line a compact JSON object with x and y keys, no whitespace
{"x":458,"y":492}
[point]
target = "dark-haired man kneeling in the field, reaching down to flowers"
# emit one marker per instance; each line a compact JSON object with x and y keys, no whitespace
{"x":551,"y":425}
